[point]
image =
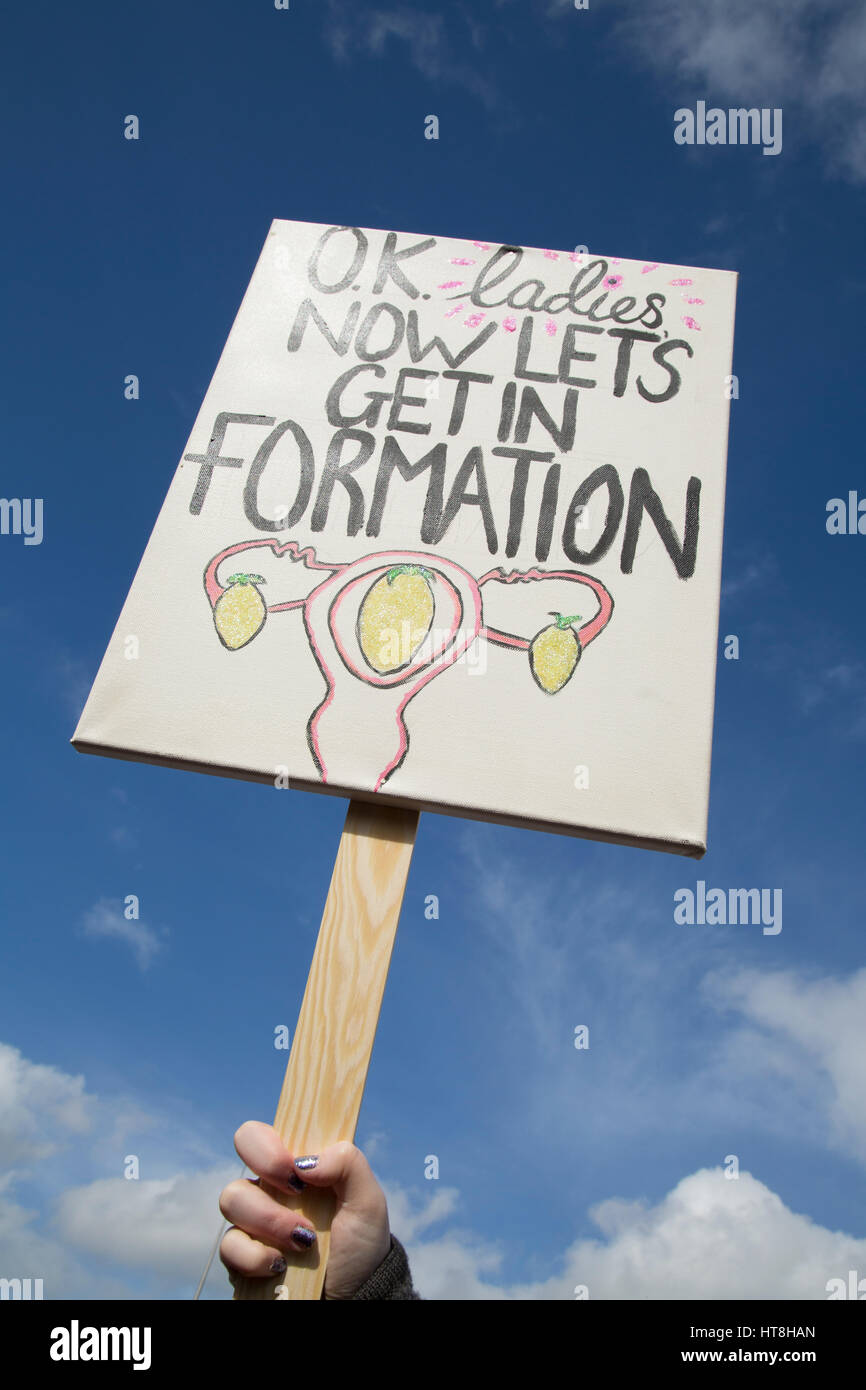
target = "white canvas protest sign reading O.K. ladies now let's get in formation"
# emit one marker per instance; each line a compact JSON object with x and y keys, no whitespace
{"x":447,"y":533}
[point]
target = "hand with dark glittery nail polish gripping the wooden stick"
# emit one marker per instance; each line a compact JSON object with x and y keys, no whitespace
{"x":263,"y":1228}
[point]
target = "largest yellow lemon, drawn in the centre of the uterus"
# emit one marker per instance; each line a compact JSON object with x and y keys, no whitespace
{"x":395,"y":618}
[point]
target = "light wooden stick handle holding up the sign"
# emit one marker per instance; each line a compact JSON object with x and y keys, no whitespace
{"x":327,"y":1071}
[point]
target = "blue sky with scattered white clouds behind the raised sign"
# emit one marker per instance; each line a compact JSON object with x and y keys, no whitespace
{"x":558,"y":1167}
